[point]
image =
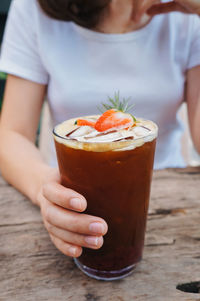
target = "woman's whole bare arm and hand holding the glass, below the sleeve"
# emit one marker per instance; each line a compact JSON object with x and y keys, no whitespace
{"x":60,"y":207}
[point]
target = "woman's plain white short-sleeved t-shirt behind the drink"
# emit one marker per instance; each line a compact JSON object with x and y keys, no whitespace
{"x":82,"y":67}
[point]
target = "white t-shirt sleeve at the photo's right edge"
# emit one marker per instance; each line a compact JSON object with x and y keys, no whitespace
{"x":194,"y":55}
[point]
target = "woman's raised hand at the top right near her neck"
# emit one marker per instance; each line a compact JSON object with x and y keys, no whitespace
{"x":154,"y":7}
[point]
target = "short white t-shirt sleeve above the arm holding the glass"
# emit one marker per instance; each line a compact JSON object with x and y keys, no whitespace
{"x":20,"y":52}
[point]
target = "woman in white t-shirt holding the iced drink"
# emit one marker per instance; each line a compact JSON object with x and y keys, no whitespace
{"x":108,"y":46}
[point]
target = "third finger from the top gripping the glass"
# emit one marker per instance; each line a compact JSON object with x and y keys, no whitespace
{"x":93,"y":242}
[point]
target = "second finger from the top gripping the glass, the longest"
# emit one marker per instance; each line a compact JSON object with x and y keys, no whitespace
{"x":74,"y":222}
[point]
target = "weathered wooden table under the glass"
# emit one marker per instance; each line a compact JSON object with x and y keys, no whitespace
{"x":31,"y":268}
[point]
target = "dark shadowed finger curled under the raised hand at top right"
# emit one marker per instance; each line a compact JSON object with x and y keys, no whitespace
{"x":166,"y":8}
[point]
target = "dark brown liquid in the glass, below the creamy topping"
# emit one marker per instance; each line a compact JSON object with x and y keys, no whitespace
{"x":116,"y":185}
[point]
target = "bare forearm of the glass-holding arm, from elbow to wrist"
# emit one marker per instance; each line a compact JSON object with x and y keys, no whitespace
{"x":21,"y":164}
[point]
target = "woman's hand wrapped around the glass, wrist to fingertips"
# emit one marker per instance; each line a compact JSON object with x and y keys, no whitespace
{"x":69,"y":230}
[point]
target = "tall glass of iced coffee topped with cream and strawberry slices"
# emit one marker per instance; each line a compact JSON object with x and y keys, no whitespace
{"x":111,"y":166}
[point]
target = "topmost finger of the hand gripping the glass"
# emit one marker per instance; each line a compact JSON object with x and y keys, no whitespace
{"x":64,"y":197}
